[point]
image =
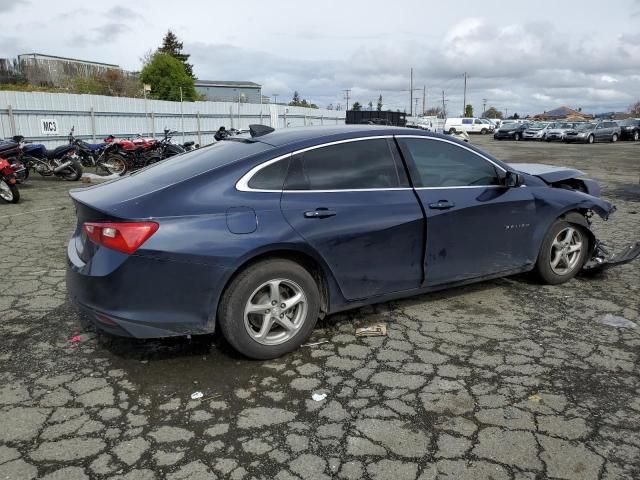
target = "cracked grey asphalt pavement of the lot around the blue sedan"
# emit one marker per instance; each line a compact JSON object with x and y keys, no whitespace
{"x":506,"y":379}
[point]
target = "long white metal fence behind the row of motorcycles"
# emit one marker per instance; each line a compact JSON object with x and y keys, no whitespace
{"x":94,"y":117}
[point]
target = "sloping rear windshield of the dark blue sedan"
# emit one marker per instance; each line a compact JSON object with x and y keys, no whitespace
{"x":181,"y":167}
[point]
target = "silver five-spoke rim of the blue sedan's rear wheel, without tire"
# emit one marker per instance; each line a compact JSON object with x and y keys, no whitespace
{"x":275,"y":311}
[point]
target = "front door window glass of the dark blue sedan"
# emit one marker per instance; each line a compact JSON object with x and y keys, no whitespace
{"x":444,"y":164}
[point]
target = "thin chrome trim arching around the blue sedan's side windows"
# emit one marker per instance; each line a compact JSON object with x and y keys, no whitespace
{"x":242,"y":185}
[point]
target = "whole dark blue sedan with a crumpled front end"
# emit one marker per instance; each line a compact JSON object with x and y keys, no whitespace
{"x":261,"y":236}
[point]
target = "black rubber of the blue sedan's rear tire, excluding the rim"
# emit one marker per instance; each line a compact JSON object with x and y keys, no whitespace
{"x":231,"y":309}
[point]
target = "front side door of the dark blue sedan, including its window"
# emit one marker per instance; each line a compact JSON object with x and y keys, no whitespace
{"x":475,"y":226}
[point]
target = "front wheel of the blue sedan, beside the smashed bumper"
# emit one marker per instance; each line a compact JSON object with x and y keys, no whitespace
{"x":556,"y":263}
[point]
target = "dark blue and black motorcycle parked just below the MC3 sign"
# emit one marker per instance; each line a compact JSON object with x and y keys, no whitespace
{"x":61,"y":162}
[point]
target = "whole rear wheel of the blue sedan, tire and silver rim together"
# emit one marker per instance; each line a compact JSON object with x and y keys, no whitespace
{"x":253,"y":287}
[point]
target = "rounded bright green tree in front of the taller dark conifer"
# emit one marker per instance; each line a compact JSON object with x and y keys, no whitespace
{"x":166,"y":75}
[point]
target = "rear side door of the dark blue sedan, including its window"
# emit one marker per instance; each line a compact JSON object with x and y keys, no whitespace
{"x":351,"y":201}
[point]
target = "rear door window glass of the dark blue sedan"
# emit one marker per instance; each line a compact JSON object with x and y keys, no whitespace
{"x":354,"y":165}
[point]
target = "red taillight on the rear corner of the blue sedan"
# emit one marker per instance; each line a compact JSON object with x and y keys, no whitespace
{"x":125,"y":237}
